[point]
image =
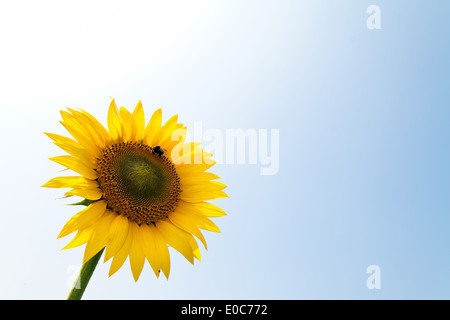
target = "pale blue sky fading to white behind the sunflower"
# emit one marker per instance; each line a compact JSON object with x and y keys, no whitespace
{"x":364,"y":140}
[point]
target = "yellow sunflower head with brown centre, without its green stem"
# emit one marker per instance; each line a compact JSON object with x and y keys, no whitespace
{"x":144,"y":188}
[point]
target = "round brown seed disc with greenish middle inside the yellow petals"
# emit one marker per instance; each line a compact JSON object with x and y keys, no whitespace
{"x":138,"y":182}
